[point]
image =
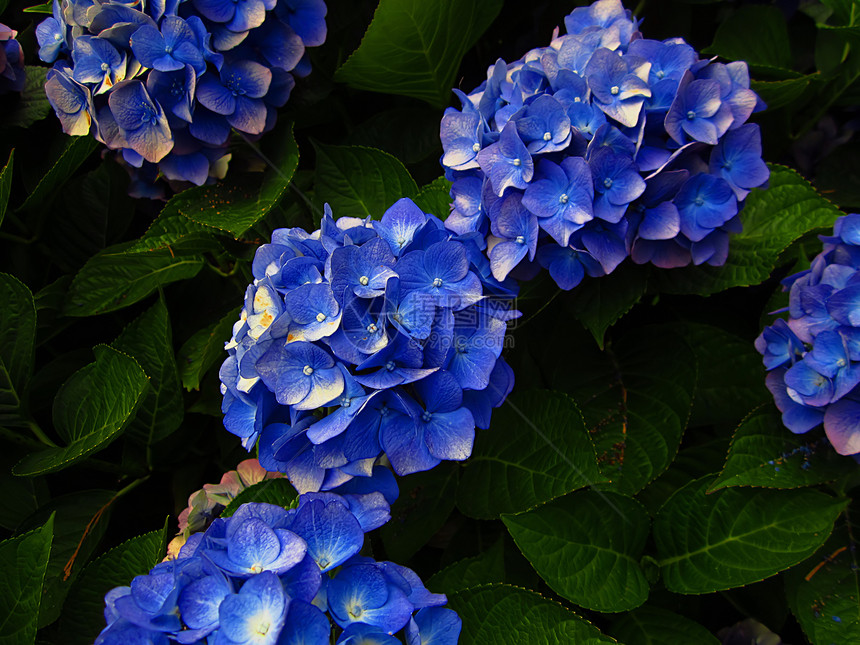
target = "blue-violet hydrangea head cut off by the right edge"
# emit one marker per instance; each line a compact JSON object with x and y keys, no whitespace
{"x":814,"y":358}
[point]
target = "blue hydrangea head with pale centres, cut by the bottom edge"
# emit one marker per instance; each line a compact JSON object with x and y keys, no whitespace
{"x":271,"y":575}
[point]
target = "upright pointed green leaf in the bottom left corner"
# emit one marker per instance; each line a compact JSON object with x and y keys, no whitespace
{"x":23,"y":560}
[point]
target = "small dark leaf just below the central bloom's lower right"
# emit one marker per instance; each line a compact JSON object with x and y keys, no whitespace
{"x":426,"y":500}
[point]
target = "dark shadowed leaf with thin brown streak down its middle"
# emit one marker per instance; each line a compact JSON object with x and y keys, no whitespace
{"x":635,"y":397}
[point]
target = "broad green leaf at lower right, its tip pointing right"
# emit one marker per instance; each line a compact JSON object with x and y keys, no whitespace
{"x":735,"y":536}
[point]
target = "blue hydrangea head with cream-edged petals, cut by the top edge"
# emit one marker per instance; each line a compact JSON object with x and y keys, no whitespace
{"x":164,"y":82}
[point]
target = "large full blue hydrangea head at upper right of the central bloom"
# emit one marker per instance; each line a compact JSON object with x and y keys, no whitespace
{"x":600,"y":146}
